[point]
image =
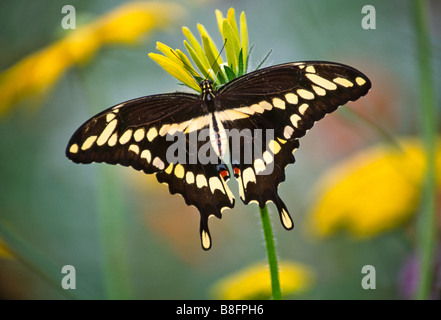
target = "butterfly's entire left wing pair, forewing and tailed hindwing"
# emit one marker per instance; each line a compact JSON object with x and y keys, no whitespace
{"x":145,"y":134}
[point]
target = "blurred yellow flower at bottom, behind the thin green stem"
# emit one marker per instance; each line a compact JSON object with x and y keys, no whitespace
{"x":254,"y":282}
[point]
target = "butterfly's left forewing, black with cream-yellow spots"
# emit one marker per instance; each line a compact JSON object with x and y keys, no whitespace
{"x":132,"y":133}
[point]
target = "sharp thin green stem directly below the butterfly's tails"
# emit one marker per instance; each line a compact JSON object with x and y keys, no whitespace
{"x":271,"y":252}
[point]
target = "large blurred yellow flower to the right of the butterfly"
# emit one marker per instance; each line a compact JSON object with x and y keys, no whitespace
{"x":373,"y":191}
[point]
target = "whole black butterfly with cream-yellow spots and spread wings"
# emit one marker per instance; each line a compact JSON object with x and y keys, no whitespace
{"x":274,"y":106}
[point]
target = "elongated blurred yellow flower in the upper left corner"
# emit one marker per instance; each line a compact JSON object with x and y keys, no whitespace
{"x":36,"y":73}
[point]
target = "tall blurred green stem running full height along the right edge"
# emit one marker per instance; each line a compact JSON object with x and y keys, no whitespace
{"x":426,"y":235}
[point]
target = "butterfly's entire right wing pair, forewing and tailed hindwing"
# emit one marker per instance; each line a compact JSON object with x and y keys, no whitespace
{"x":282,"y":101}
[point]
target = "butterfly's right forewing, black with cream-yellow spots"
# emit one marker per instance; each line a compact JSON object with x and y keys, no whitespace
{"x":293,"y":94}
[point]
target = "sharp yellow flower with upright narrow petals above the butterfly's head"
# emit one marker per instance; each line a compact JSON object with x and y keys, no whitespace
{"x":206,"y":56}
